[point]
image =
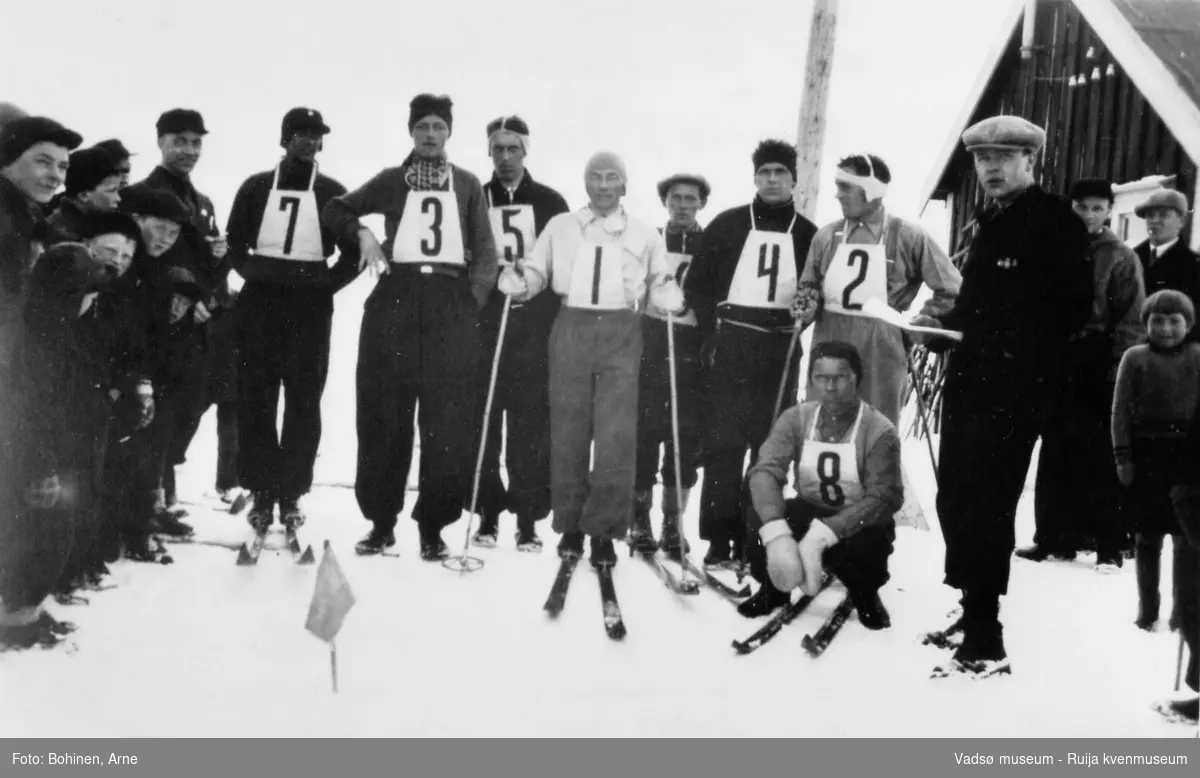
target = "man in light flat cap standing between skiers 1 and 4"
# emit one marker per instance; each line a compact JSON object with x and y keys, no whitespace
{"x":683,"y":195}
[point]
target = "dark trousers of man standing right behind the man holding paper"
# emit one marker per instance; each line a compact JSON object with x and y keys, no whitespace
{"x":1078,"y":495}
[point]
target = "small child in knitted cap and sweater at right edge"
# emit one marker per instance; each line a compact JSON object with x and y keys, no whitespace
{"x":1159,"y":386}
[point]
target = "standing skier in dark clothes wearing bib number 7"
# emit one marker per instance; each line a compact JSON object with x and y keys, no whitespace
{"x":285,"y":314}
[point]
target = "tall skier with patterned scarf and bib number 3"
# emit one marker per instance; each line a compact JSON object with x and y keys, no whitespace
{"x":419,"y":342}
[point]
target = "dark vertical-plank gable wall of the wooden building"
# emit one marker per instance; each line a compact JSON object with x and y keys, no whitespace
{"x":1100,"y":128}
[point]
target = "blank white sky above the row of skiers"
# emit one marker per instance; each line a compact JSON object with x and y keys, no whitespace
{"x":669,"y":86}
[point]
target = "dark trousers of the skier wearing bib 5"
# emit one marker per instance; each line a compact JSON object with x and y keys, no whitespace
{"x":523,"y":404}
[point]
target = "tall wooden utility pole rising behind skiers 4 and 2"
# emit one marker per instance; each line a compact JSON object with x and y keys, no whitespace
{"x":811,"y":135}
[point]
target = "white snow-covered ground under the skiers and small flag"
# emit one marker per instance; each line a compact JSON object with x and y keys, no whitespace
{"x":207,"y":649}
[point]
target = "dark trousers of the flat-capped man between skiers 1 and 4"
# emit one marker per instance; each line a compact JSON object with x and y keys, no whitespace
{"x":655,"y":405}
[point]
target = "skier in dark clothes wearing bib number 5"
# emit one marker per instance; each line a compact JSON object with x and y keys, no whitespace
{"x":519,"y":210}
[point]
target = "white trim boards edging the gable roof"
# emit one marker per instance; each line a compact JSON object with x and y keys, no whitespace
{"x":1157,"y":44}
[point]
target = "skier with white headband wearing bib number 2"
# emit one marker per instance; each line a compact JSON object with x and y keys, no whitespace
{"x":871,"y":255}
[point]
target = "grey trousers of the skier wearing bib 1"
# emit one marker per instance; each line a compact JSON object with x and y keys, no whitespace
{"x":593,"y":421}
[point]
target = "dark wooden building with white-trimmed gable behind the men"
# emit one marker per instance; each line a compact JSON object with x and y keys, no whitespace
{"x":1115,"y":85}
